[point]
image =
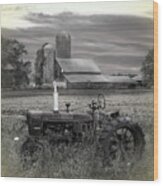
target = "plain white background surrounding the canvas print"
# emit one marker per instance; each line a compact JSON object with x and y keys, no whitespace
{"x":159,"y":182}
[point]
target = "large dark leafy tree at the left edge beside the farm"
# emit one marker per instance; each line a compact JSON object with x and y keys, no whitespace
{"x":12,"y":53}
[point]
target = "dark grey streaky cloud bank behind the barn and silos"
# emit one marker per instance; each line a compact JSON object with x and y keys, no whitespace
{"x":116,"y":43}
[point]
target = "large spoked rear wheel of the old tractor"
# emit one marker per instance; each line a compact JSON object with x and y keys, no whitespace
{"x":122,"y":145}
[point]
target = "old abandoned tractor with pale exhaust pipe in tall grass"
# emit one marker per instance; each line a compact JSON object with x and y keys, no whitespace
{"x":115,"y":137}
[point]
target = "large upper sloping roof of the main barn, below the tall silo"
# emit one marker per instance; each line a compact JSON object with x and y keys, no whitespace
{"x":78,"y":65}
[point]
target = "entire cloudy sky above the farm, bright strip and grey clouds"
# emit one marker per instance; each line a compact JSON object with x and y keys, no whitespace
{"x":116,"y":35}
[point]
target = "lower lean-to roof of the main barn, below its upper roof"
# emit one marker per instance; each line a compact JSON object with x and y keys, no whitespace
{"x":79,"y":78}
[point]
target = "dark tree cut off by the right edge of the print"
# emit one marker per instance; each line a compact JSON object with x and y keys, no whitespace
{"x":148,"y":69}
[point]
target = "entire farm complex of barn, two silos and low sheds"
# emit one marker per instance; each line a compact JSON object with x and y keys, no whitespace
{"x":57,"y":64}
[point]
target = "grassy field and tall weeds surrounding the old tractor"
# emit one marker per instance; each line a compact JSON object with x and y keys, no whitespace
{"x":73,"y":161}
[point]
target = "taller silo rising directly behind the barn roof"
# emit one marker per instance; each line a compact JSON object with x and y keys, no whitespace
{"x":63,"y":45}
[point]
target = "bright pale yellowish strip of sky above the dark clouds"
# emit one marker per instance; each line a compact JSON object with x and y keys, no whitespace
{"x":12,"y":16}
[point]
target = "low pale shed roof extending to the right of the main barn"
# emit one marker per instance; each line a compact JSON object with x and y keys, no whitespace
{"x":120,"y":79}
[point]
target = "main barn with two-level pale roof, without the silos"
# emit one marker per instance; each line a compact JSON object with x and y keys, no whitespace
{"x":79,"y":73}
